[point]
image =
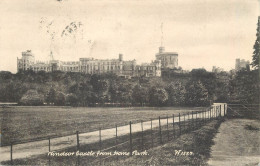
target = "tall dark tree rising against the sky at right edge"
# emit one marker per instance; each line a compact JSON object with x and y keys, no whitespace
{"x":256,"y":53}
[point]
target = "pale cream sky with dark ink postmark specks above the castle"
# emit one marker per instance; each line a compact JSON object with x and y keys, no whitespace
{"x":204,"y":33}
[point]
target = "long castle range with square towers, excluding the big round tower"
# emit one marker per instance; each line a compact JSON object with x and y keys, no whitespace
{"x":92,"y":66}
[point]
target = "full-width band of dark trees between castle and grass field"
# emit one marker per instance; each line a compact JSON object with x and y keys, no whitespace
{"x":199,"y":88}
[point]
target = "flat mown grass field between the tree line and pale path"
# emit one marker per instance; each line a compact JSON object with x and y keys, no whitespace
{"x":20,"y":124}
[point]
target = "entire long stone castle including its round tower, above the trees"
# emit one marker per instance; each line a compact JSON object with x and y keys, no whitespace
{"x":164,"y":60}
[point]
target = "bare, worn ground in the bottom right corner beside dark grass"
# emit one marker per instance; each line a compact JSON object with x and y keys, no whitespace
{"x":237,"y":143}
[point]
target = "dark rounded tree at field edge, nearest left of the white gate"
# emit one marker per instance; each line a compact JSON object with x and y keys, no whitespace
{"x":197,"y":94}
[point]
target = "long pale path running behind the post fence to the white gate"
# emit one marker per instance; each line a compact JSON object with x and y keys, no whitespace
{"x":27,"y":150}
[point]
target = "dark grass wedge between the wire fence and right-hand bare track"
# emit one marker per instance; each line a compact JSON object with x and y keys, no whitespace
{"x":199,"y":142}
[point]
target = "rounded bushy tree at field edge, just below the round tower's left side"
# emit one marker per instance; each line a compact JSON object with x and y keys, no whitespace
{"x":157,"y":96}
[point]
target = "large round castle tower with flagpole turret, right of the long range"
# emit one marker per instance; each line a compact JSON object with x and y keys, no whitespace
{"x":169,"y":60}
